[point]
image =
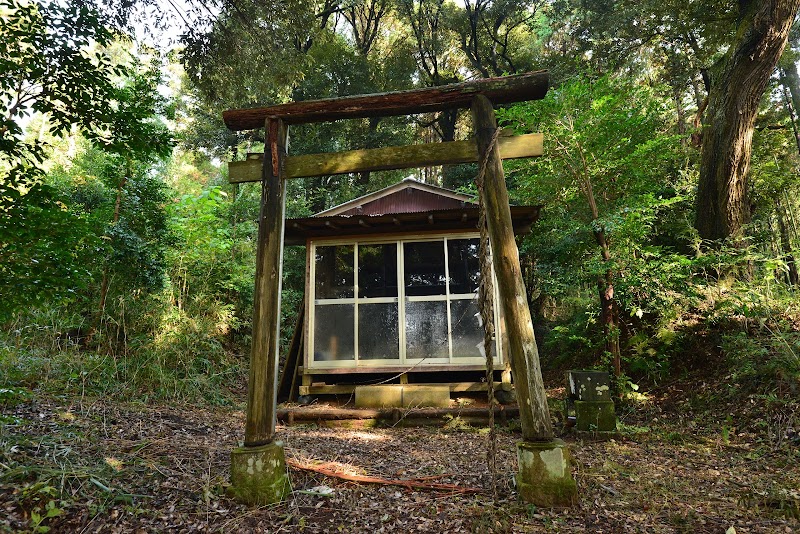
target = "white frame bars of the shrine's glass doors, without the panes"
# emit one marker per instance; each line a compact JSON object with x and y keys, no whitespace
{"x":400,"y":299}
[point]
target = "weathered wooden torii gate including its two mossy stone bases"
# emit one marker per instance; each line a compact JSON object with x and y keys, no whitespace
{"x":258,"y":470}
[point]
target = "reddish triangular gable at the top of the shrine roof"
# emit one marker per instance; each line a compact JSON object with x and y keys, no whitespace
{"x":408,"y":196}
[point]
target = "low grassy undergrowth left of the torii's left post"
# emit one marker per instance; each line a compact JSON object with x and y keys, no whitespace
{"x":152,"y":351}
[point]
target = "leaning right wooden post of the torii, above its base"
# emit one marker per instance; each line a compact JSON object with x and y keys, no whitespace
{"x":524,"y":355}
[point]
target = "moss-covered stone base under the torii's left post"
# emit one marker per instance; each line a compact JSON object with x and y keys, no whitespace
{"x":258,"y":474}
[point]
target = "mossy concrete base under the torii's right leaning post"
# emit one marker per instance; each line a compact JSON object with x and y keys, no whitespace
{"x":545,"y":476}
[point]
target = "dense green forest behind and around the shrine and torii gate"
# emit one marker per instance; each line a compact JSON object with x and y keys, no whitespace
{"x":127,"y":260}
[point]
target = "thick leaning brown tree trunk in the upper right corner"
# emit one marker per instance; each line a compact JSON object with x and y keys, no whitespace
{"x":736,"y":91}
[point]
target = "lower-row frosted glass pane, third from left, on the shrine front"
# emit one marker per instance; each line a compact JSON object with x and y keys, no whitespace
{"x":426,"y":330}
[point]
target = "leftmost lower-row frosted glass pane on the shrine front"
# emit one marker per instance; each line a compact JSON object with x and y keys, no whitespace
{"x":333,"y":333}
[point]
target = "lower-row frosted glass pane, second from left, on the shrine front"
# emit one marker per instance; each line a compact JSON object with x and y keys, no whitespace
{"x":378,"y":333}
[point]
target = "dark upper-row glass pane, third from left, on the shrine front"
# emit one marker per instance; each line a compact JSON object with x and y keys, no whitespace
{"x":424,"y":268}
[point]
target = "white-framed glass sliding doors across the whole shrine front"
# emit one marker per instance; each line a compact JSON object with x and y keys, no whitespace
{"x":404,"y":302}
